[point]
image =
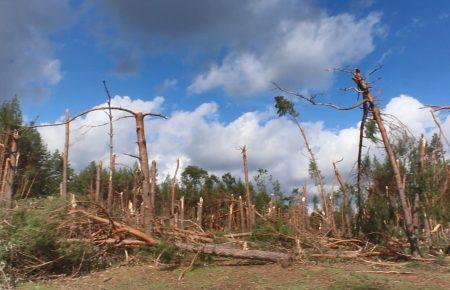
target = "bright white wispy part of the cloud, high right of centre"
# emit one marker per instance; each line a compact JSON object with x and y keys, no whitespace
{"x":298,"y":53}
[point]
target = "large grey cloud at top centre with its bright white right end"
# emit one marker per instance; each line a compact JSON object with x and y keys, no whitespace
{"x":256,"y":41}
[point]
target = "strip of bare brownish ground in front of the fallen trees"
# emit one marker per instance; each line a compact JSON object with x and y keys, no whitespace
{"x":237,"y":275}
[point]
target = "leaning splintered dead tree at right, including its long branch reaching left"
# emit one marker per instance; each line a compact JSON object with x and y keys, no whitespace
{"x":369,"y":103}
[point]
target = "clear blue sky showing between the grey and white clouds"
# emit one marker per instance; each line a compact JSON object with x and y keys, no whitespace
{"x":413,"y":46}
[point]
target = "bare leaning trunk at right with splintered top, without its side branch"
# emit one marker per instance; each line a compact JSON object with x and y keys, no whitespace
{"x":408,"y":221}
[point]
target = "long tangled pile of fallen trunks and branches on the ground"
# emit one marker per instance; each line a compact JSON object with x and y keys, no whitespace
{"x":280,"y":247}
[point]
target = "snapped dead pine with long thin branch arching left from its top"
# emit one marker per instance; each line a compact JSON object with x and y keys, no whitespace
{"x":148,"y":211}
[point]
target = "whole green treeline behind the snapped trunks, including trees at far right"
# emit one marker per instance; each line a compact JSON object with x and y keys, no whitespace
{"x":370,"y":207}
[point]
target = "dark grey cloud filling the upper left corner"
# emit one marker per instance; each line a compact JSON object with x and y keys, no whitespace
{"x":27,"y":62}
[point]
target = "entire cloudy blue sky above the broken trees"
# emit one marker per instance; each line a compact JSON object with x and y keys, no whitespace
{"x":209,"y":65}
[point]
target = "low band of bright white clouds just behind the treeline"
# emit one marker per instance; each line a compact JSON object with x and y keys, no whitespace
{"x":199,"y":138}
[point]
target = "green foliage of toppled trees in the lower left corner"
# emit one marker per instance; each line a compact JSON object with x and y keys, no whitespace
{"x":34,"y":233}
